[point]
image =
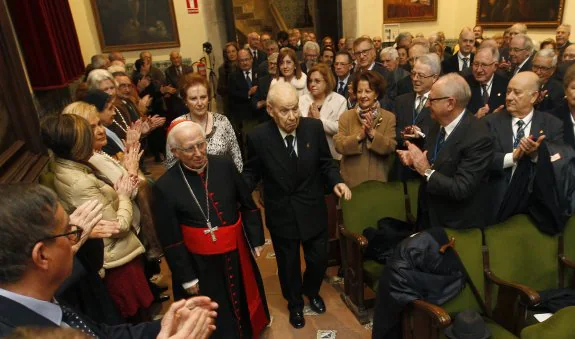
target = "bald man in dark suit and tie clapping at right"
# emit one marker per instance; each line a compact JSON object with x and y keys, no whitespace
{"x":517,"y":133}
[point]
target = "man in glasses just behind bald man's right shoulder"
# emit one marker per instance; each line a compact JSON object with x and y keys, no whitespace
{"x":551,"y":92}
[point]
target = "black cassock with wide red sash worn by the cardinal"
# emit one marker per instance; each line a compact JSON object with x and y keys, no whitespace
{"x":221,"y":276}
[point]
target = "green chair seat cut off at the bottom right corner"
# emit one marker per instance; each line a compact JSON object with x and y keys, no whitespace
{"x":560,"y":326}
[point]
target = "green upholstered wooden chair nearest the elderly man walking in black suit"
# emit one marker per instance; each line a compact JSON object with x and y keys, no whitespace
{"x":371,"y":201}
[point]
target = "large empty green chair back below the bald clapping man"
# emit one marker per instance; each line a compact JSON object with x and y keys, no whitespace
{"x":520,"y":253}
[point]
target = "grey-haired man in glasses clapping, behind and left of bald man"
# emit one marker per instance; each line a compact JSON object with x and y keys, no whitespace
{"x":487,"y":87}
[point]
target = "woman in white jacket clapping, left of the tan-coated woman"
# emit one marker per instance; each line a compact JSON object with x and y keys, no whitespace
{"x":323,"y":103}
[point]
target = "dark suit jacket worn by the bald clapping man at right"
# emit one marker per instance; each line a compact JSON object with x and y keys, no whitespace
{"x":501,"y":130}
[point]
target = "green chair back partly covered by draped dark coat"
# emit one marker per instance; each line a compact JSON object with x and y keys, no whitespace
{"x":469,"y":247}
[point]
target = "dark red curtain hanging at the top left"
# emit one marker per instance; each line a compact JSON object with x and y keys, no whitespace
{"x":49,"y":42}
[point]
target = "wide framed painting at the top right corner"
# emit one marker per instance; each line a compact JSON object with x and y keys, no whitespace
{"x":533,"y":13}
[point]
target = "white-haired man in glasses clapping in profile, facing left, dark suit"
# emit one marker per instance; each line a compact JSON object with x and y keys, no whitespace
{"x":455,"y":161}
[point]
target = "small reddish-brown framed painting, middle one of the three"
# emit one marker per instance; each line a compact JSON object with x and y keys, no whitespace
{"x":409,"y":10}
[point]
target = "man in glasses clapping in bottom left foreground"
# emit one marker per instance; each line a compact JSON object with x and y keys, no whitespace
{"x":38,"y":245}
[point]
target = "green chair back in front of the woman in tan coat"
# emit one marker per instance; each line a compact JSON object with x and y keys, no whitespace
{"x":371,"y":201}
